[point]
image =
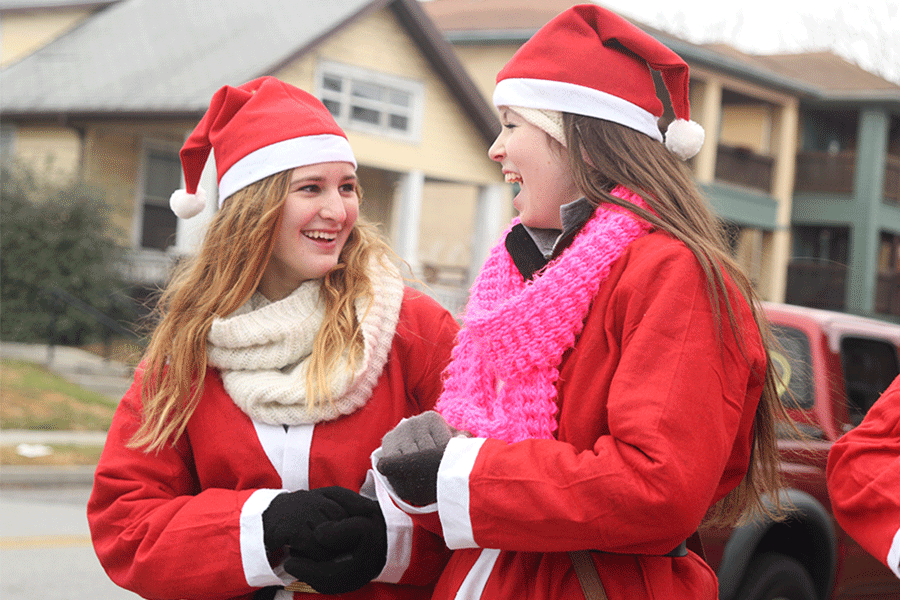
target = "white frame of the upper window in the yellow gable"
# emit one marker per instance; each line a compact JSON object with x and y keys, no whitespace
{"x":349,"y":74}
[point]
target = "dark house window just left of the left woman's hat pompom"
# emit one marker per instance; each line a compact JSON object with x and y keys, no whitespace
{"x":162,"y":176}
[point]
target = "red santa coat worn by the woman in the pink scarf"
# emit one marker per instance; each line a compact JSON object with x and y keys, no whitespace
{"x":655,"y":423}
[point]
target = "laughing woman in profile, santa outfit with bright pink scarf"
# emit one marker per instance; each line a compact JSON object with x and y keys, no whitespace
{"x":611,"y":389}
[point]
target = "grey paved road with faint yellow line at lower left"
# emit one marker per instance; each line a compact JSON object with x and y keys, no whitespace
{"x":45,"y":549}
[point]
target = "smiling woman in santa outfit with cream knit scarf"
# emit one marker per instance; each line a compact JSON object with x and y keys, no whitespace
{"x":236,"y":465}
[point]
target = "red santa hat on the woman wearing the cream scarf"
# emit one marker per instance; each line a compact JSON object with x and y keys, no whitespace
{"x":256,"y":130}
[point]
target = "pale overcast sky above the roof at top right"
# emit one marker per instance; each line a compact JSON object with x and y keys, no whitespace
{"x":866,"y":32}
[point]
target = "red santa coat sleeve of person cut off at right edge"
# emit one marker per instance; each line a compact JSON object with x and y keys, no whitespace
{"x":864,"y":480}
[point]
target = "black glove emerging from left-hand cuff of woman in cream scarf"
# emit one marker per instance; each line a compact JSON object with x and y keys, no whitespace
{"x":291,"y":518}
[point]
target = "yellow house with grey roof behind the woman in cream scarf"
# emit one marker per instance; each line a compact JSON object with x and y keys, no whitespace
{"x":112,"y":100}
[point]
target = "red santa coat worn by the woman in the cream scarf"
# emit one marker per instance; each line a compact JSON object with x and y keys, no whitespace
{"x":185,"y":522}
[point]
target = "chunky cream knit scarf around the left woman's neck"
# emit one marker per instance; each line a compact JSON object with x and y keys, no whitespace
{"x":263,"y":352}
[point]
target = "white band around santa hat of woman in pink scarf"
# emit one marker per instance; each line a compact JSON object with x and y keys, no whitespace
{"x":575,"y":99}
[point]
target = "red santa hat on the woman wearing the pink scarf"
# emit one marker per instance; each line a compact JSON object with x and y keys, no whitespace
{"x":590,"y":61}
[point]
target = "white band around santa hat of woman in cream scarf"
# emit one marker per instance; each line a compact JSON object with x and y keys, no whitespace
{"x":281,"y":156}
